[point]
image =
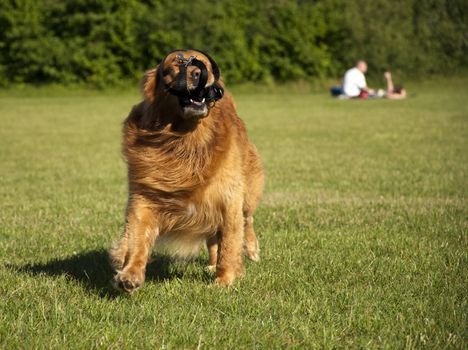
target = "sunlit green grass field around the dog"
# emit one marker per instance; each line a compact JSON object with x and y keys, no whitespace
{"x":363,"y":228}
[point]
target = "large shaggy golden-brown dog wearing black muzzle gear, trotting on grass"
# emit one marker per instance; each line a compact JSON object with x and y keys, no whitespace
{"x":193,"y":175}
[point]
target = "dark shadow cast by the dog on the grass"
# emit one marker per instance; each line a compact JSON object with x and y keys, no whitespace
{"x":93,"y":272}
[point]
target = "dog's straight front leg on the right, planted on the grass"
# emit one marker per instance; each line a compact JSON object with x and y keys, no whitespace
{"x":230,"y":245}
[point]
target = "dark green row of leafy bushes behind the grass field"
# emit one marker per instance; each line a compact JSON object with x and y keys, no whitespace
{"x":103,"y":41}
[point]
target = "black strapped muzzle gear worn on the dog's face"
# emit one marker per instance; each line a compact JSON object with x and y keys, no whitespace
{"x":201,"y":92}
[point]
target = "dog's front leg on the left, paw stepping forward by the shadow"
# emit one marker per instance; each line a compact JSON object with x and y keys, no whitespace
{"x":141,"y":231}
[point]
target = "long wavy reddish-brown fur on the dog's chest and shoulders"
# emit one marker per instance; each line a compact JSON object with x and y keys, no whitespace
{"x":188,"y":178}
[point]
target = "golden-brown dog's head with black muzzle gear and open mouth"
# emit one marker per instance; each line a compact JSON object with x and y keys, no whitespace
{"x":186,"y":82}
